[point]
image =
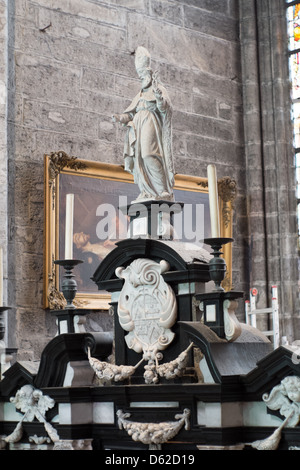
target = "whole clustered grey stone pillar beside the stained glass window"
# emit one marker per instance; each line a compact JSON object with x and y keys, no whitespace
{"x":269,"y":158}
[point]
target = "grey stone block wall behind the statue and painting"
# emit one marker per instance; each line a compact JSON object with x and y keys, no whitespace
{"x":71,"y":65}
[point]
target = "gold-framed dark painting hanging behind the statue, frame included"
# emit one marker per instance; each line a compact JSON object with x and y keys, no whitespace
{"x":98,"y":190}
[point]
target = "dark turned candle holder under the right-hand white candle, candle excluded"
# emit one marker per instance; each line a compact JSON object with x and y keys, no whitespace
{"x":217,"y":265}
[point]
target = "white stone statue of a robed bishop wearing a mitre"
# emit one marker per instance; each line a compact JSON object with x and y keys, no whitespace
{"x":148,"y":143}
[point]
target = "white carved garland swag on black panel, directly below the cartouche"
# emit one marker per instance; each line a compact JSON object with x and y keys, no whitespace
{"x":153,"y":433}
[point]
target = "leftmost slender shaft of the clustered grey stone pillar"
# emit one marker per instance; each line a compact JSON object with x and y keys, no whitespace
{"x":253,"y":147}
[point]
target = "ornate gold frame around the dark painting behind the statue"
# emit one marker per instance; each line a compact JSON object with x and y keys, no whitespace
{"x":59,"y":162}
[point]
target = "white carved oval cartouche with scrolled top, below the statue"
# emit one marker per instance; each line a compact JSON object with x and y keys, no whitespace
{"x":147,"y":307}
